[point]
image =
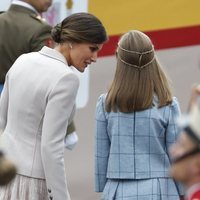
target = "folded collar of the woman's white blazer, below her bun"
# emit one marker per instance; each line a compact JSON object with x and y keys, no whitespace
{"x":52,"y":53}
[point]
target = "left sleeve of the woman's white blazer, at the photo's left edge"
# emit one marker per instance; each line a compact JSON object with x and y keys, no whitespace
{"x":4,"y":105}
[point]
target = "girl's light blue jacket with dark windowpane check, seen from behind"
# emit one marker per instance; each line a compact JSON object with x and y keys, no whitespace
{"x":133,"y":145}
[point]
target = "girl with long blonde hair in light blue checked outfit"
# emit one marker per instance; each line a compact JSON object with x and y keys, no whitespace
{"x":135,"y":125}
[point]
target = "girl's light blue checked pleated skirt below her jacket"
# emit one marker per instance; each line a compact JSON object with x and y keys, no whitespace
{"x":143,"y":189}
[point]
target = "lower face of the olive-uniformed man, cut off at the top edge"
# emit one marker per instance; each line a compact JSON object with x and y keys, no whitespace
{"x":40,"y":5}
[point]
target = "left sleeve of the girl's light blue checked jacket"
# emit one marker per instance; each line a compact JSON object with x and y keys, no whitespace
{"x":102,"y":146}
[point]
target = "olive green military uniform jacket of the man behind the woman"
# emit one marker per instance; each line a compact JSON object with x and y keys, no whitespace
{"x":21,"y":31}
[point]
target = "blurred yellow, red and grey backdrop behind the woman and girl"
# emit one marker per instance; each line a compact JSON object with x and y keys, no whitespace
{"x":173,"y":26}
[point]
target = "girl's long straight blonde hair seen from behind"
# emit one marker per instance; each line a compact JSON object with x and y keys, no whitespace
{"x":139,"y":77}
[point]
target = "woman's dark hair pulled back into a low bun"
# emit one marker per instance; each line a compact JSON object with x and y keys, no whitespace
{"x":80,"y":27}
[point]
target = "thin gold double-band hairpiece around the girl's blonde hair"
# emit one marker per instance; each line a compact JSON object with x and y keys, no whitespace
{"x":140,"y":67}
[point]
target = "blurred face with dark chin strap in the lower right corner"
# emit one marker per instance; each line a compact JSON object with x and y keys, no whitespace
{"x":186,"y":167}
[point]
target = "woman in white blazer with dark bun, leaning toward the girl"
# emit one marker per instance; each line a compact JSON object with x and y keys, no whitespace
{"x":37,"y":102}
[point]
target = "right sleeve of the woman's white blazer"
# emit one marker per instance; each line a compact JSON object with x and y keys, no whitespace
{"x":59,"y":107}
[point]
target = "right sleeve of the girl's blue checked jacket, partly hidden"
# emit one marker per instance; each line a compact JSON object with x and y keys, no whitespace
{"x":172,"y":133}
